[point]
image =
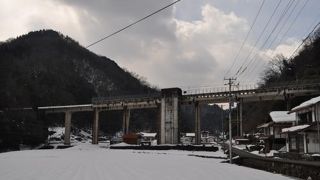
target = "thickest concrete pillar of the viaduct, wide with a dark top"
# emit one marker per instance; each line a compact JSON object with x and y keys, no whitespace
{"x":170,"y":107}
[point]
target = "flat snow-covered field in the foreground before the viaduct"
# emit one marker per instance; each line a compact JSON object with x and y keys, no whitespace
{"x":90,"y":162}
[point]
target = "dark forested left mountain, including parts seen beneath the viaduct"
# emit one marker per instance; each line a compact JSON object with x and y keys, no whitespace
{"x":45,"y":68}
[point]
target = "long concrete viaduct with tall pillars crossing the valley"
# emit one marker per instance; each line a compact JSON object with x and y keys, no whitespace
{"x":169,"y":101}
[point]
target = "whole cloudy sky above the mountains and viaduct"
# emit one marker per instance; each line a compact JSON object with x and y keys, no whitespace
{"x":191,"y":44}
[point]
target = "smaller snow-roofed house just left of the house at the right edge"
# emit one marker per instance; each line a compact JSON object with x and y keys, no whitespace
{"x":271,"y":131}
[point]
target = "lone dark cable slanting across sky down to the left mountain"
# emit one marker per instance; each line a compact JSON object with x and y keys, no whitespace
{"x":126,"y":27}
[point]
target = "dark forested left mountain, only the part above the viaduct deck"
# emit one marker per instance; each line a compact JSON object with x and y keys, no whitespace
{"x":47,"y":68}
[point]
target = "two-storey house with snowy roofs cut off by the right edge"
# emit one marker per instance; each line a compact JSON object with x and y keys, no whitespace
{"x":304,"y":136}
